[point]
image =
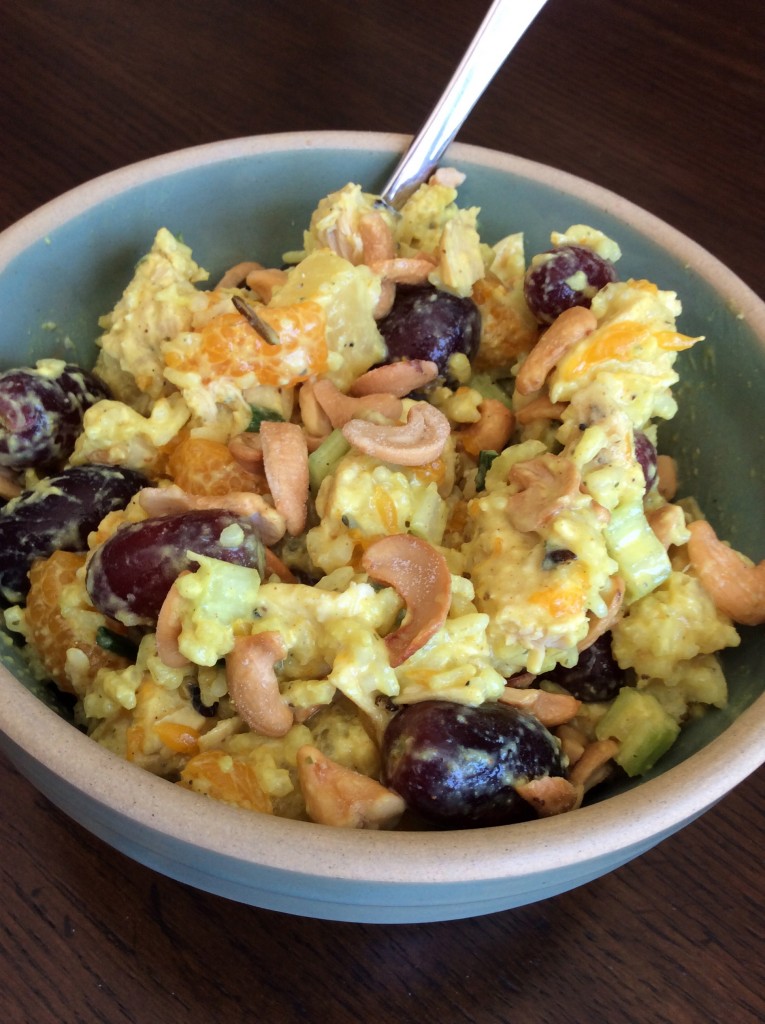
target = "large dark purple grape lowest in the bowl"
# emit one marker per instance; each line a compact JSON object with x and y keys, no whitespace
{"x":458,"y":766}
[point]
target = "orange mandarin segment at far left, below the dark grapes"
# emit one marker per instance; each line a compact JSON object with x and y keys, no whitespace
{"x":53,"y":633}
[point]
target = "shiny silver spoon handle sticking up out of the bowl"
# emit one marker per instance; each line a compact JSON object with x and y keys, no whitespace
{"x":502,"y":28}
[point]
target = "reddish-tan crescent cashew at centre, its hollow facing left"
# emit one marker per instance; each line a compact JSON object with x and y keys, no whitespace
{"x":420,"y":575}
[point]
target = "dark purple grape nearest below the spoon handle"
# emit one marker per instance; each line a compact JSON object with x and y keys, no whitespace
{"x":427,"y":323}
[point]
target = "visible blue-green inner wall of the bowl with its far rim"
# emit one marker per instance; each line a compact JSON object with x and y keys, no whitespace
{"x":67,"y":265}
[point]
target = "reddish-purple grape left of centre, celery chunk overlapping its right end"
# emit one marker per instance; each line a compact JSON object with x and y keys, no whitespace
{"x":130,"y":576}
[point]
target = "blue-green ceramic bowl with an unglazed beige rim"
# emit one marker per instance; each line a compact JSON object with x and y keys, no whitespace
{"x":67,"y":264}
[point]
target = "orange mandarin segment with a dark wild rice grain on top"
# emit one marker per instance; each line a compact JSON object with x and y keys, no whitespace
{"x":230,"y":347}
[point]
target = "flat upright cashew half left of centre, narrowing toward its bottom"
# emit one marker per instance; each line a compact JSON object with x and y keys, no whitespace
{"x":286,"y":464}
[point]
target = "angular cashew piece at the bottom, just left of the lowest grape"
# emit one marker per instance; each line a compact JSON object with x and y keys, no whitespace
{"x":338,"y":796}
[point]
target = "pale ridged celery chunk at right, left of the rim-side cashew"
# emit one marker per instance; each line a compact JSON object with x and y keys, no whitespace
{"x":644,"y":564}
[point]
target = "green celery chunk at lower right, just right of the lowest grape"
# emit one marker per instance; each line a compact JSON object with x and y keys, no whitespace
{"x":644,"y":730}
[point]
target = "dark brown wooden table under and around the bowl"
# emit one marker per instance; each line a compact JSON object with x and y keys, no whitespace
{"x":661,"y":101}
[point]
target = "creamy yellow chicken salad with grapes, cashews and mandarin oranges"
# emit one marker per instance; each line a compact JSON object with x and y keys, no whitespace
{"x":380,"y":538}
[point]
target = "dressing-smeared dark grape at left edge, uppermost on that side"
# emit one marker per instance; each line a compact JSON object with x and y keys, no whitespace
{"x":41,"y":414}
